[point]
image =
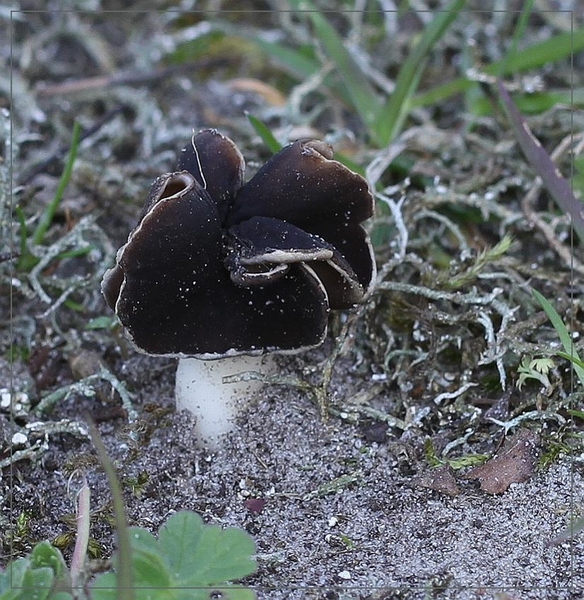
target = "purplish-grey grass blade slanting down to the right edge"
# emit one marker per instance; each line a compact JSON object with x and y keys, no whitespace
{"x":543,"y":165}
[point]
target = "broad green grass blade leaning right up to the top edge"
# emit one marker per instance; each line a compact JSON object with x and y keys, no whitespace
{"x":394,"y":113}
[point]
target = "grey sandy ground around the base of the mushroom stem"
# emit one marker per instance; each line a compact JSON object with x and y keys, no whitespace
{"x":344,"y":517}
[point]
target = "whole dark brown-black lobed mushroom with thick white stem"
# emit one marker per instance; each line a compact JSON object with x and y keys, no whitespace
{"x":222,"y":273}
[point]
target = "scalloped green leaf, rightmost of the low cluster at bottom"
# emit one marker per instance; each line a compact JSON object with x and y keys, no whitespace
{"x":198,"y":554}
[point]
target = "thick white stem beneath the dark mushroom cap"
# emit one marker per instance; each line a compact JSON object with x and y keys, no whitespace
{"x":200,"y":389}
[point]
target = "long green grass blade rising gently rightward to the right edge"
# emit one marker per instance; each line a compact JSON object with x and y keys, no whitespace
{"x":535,"y":56}
